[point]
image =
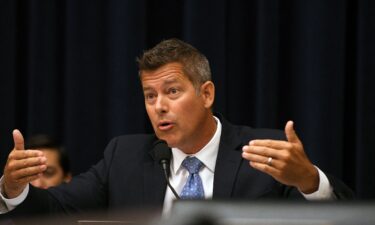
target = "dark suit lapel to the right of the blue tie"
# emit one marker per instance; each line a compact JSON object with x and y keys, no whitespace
{"x":228,"y":161}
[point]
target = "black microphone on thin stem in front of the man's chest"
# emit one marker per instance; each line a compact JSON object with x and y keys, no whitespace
{"x":163,"y":155}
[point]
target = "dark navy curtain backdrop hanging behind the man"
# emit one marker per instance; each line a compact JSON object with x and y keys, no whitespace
{"x":67,"y":68}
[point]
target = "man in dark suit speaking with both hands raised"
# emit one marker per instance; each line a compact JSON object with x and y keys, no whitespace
{"x":179,"y":95}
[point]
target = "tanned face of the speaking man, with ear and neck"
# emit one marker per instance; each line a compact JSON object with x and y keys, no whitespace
{"x":179,"y":115}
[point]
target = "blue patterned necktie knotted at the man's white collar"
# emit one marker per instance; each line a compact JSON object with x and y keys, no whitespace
{"x":193,"y":188}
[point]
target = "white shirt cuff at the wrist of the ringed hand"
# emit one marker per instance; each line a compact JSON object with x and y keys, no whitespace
{"x":325,"y":190}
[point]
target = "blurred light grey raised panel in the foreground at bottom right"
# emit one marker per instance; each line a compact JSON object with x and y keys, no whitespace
{"x":272,"y":213}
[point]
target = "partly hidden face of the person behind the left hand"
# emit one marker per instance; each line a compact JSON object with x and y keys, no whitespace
{"x":54,"y":174}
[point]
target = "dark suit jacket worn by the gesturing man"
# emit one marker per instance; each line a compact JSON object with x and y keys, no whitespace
{"x":128,"y":176}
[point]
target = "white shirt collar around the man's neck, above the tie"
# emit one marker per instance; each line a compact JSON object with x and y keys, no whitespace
{"x":207,"y":155}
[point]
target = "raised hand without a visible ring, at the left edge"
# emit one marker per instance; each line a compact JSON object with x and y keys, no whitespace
{"x":21,"y":167}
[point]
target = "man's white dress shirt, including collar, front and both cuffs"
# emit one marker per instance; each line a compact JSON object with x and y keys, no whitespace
{"x":178,"y":177}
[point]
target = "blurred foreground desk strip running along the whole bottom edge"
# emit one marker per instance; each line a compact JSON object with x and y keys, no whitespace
{"x":230,"y":213}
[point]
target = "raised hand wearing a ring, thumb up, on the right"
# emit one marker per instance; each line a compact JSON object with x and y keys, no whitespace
{"x":285,"y":161}
